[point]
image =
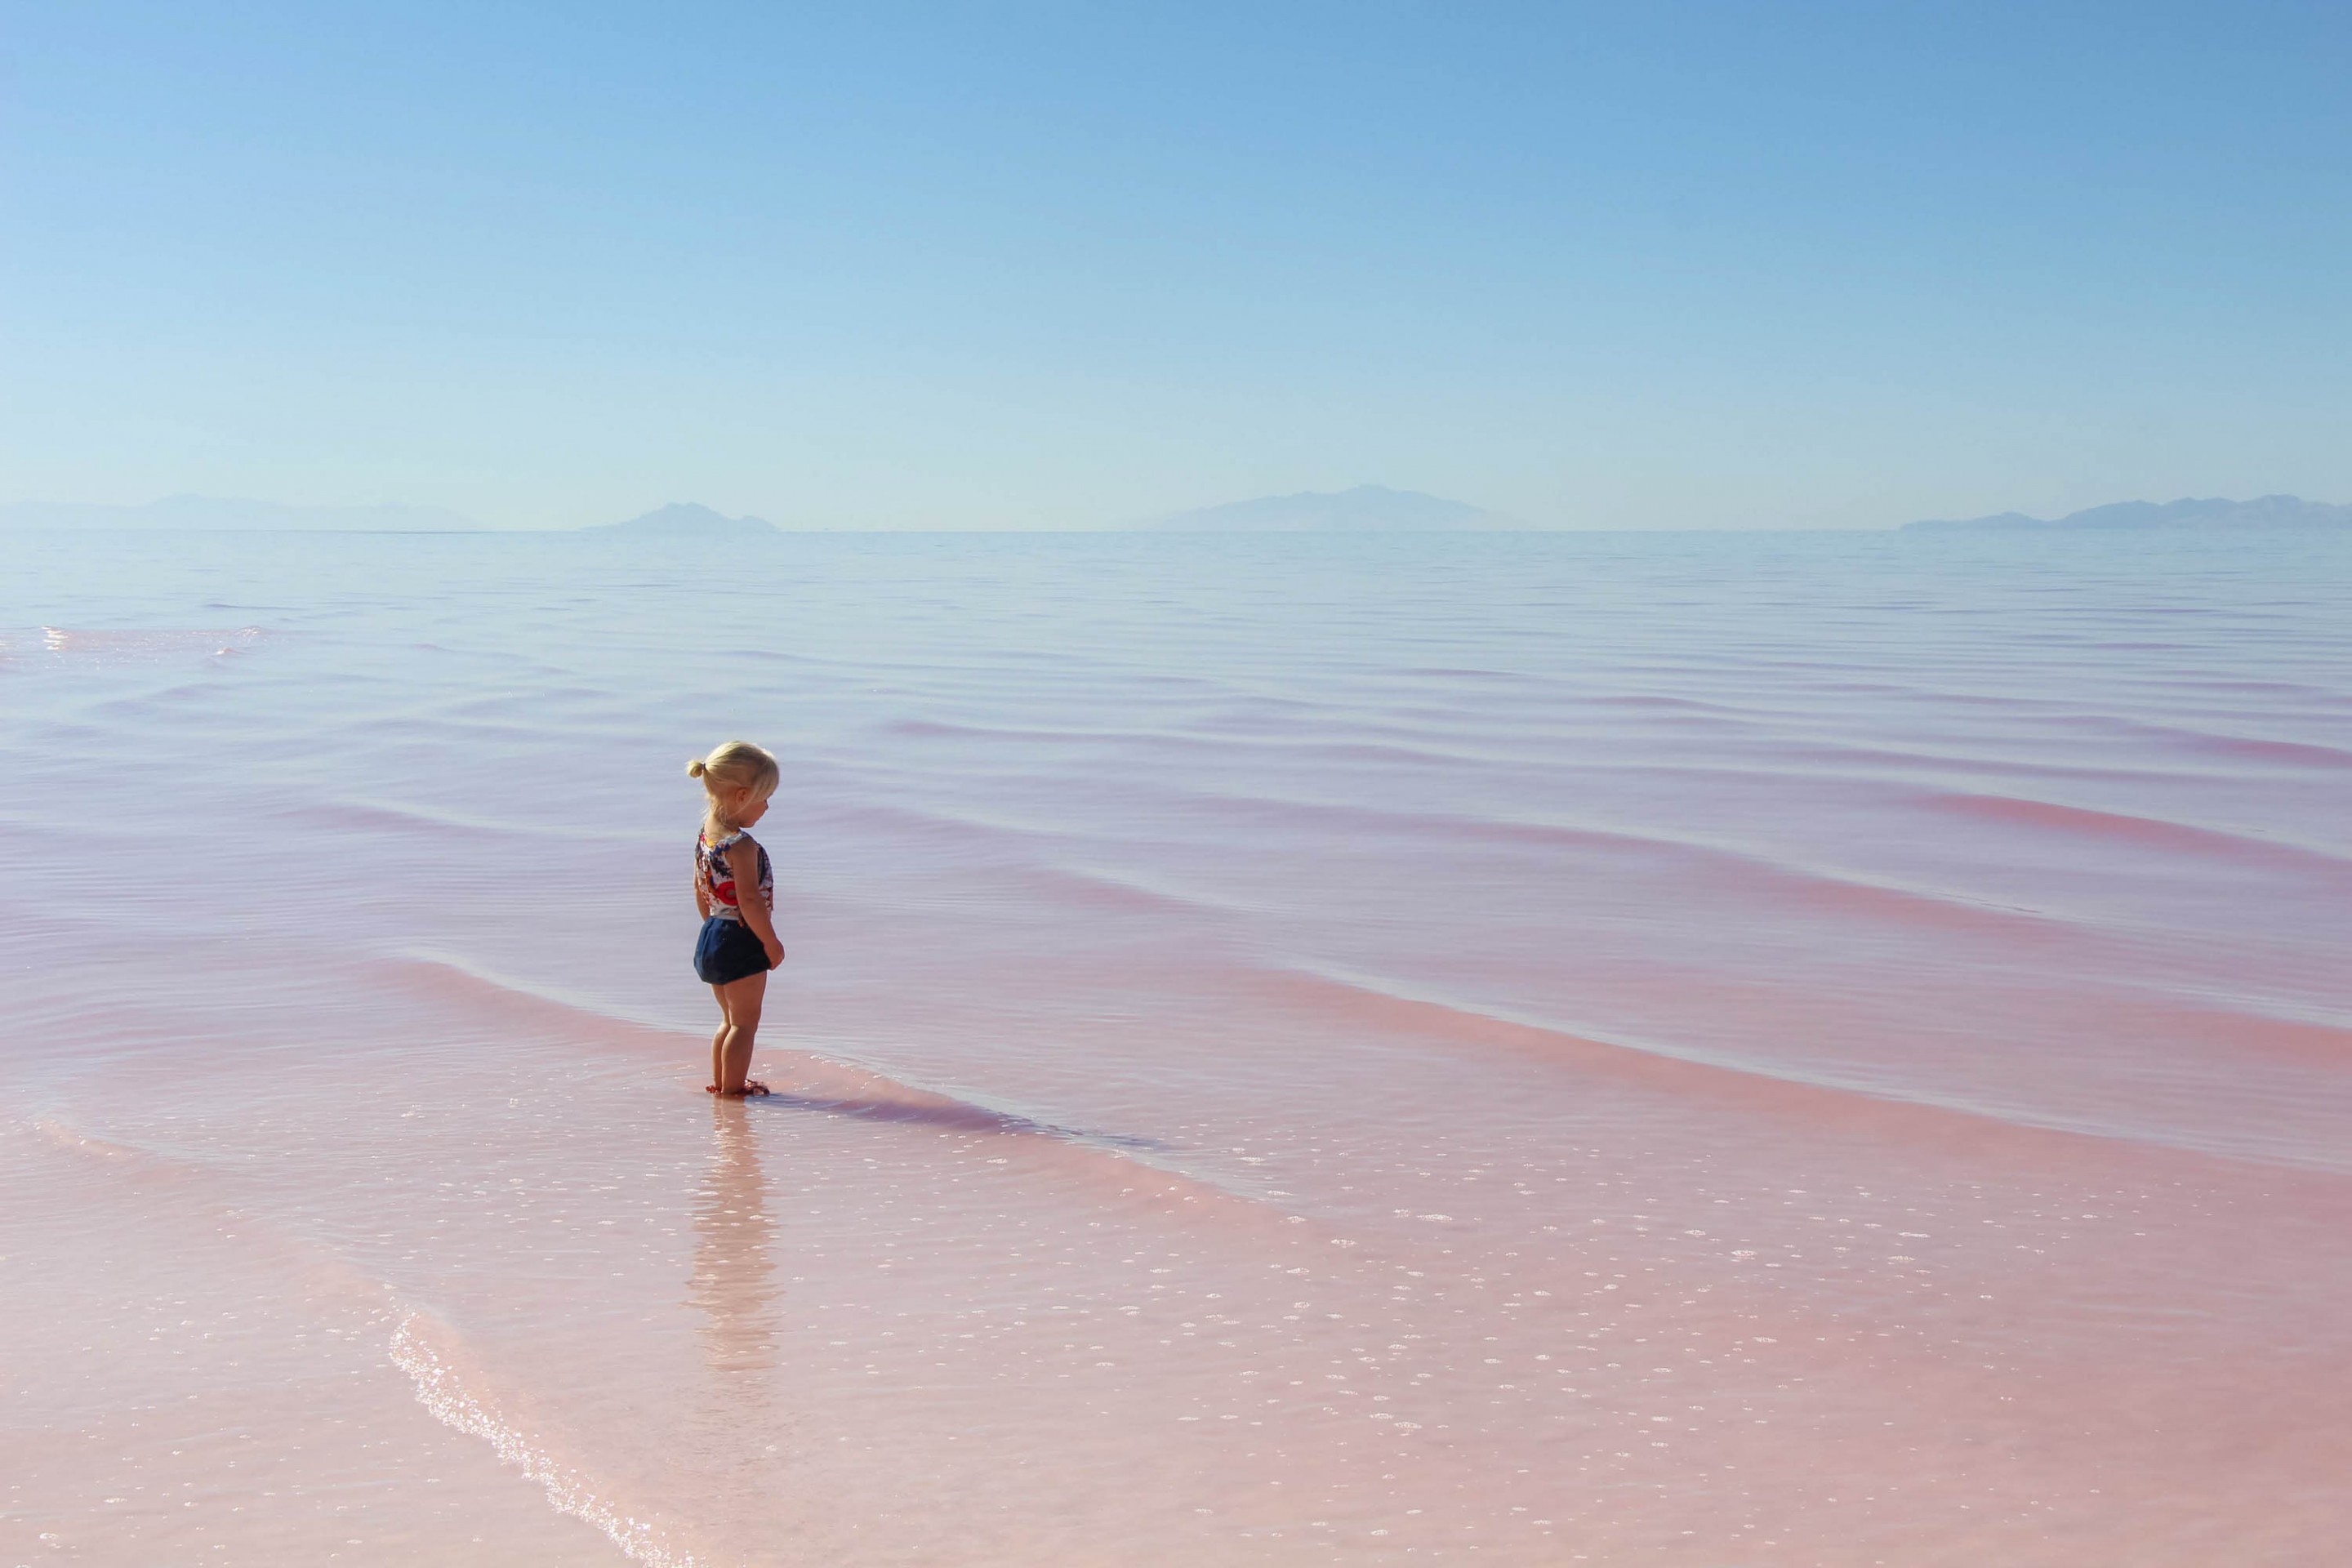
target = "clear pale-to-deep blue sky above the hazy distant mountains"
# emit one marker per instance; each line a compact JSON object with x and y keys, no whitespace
{"x":1071,"y":264}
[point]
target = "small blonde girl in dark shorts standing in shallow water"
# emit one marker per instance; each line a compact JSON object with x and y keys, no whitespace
{"x":733,"y":892}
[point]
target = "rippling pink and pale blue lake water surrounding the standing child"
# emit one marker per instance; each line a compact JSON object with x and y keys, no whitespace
{"x":1756,"y":1050}
